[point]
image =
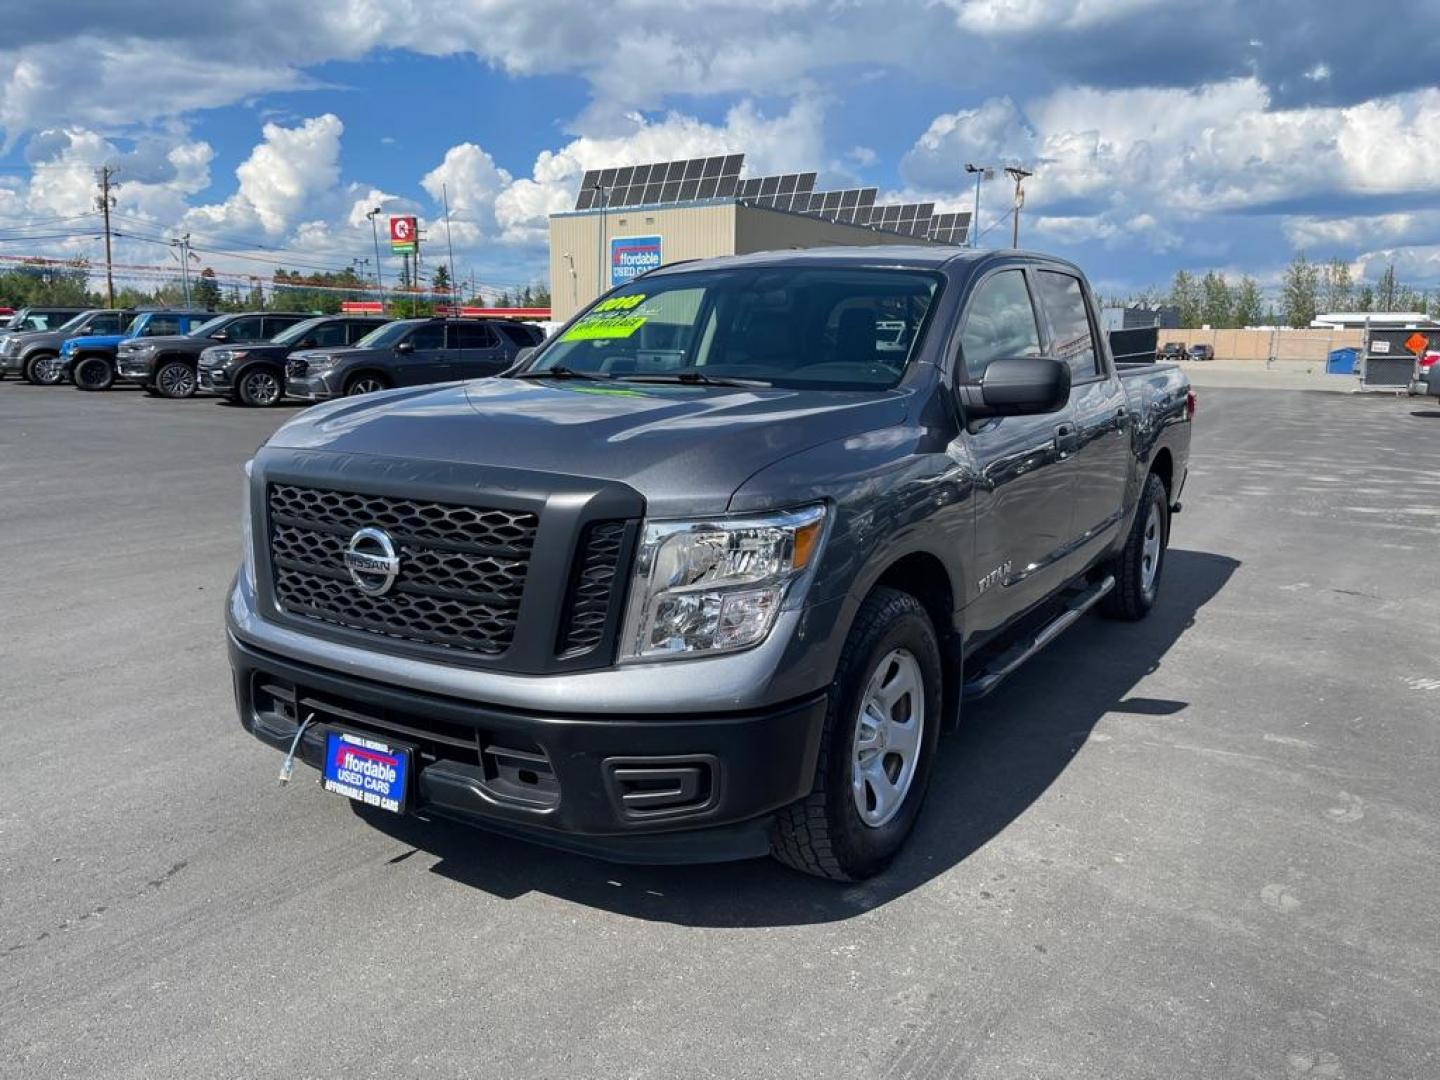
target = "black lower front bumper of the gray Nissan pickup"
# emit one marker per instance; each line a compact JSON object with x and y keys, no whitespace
{"x":644,"y":788}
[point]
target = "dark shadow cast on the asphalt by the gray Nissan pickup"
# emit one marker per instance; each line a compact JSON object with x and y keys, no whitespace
{"x":1009,"y":751}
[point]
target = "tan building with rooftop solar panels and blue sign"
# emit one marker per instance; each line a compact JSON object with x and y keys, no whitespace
{"x":636,"y":218}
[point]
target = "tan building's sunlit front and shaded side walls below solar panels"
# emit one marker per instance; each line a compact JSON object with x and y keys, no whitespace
{"x":578,"y":250}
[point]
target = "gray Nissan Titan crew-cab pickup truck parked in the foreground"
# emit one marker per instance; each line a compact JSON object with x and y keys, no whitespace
{"x":706,"y":575}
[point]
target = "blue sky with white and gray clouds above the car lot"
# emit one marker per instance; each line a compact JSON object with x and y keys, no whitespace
{"x":1164,"y":135}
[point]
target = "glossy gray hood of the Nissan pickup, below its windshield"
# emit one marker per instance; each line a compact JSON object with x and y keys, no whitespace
{"x":685,"y":449}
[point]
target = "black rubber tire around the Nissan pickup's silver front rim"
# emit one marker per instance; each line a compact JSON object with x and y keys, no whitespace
{"x":824,"y":833}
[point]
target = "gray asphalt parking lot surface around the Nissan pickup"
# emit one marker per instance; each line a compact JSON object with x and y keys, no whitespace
{"x":1203,"y":846}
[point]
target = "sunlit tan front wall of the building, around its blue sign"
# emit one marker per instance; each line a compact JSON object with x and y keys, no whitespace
{"x":578,"y":250}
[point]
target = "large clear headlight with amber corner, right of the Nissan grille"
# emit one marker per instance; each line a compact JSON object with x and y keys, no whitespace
{"x":718,"y":585}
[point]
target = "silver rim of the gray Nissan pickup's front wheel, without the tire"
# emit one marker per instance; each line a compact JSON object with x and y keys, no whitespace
{"x":889,"y":732}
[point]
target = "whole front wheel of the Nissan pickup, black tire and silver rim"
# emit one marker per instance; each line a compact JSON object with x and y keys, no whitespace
{"x":876,"y":750}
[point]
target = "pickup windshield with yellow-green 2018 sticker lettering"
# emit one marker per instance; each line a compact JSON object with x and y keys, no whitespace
{"x":794,"y":328}
